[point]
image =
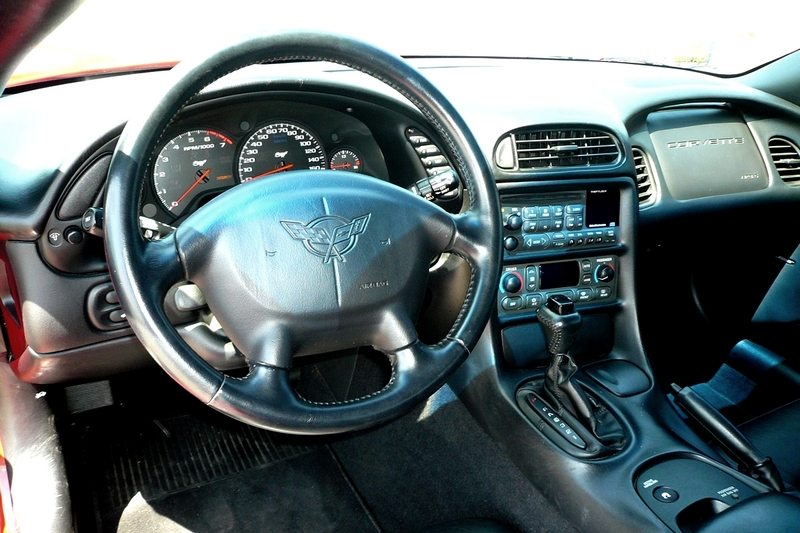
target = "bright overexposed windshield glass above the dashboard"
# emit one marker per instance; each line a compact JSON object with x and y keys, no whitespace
{"x":710,"y":36}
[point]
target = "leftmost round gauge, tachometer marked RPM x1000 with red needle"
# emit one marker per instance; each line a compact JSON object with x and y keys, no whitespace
{"x":191,"y":165}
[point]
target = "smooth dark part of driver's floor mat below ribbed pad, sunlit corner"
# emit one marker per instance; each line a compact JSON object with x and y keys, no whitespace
{"x":307,"y":493}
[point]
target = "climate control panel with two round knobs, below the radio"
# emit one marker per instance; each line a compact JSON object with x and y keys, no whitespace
{"x":586,"y":280}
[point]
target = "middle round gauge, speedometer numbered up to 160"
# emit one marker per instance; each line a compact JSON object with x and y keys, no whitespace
{"x":279,"y":147}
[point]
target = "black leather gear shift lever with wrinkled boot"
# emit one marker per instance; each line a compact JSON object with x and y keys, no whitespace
{"x":561,"y":324}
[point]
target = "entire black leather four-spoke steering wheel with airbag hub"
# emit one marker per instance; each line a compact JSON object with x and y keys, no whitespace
{"x":307,"y":262}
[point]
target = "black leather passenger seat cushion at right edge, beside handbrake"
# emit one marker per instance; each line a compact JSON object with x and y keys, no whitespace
{"x":776,"y":434}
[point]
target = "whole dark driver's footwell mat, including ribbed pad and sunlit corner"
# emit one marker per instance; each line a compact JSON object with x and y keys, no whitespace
{"x":204,"y":473}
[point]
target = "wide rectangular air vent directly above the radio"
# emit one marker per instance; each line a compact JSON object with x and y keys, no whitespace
{"x":565,"y":148}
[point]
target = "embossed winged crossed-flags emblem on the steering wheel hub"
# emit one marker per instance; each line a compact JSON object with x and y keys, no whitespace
{"x":328,"y":236}
